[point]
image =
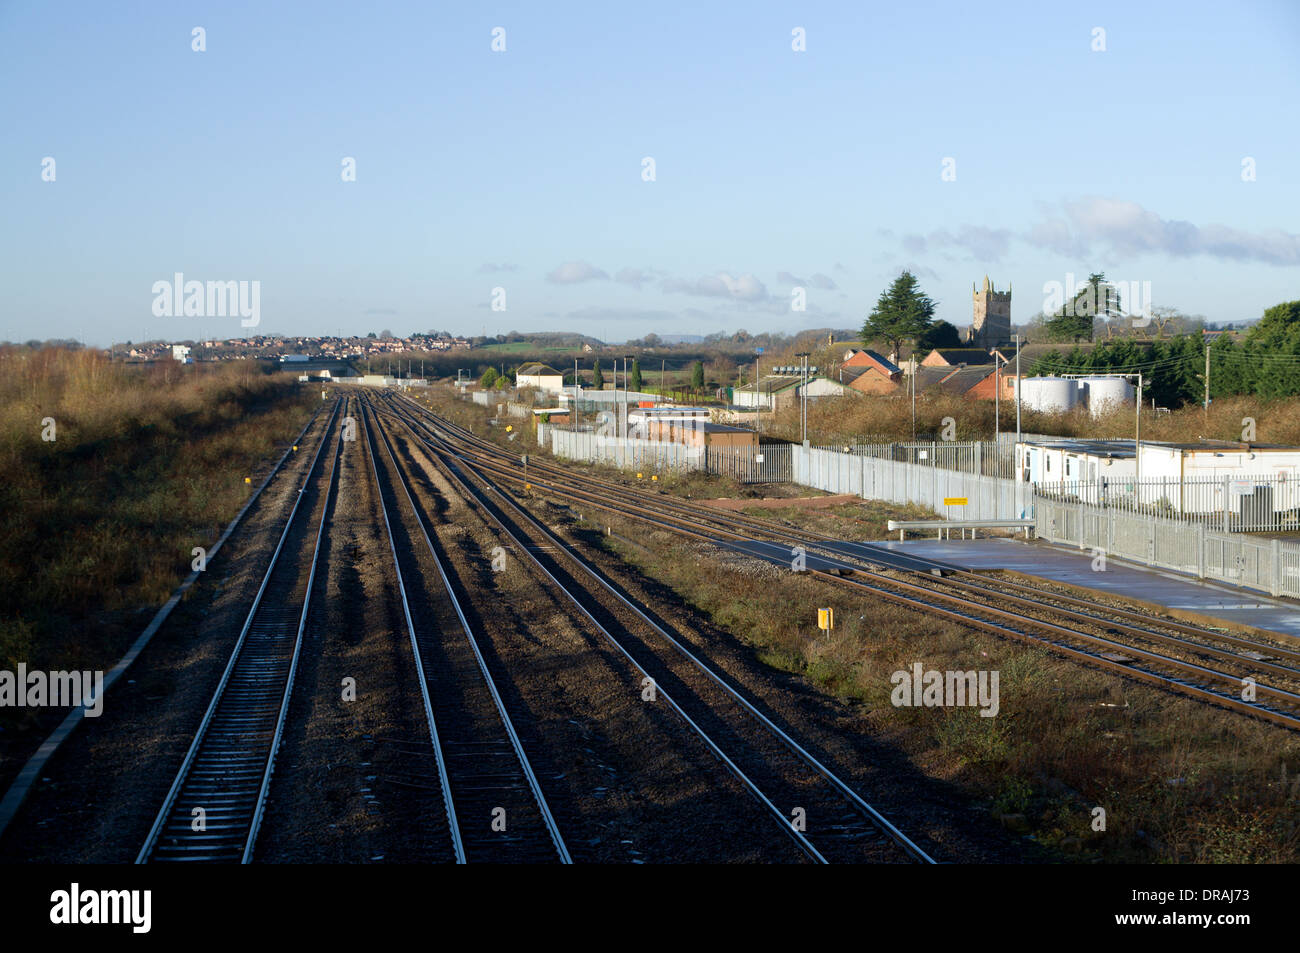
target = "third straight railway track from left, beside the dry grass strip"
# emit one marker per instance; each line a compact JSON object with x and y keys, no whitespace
{"x":826,"y":818}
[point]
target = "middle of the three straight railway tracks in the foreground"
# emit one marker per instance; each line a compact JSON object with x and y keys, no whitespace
{"x":496,"y":809}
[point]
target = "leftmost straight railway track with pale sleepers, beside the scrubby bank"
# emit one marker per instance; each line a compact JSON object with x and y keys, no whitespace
{"x":215,"y":805}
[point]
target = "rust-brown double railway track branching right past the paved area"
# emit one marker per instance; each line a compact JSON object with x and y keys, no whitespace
{"x":1173,"y":656}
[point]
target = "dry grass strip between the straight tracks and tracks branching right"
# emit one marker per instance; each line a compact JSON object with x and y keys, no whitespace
{"x":1181,"y":782}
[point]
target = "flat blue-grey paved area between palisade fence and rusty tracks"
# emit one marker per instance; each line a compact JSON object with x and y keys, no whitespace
{"x":1185,"y":596}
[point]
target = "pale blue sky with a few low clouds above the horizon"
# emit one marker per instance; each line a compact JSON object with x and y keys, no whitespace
{"x":509,"y":189}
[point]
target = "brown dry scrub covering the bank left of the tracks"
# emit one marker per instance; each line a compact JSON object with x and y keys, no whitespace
{"x":146,"y":465}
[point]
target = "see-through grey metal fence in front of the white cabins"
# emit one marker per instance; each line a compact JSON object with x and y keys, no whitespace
{"x":1240,"y":504}
